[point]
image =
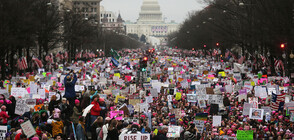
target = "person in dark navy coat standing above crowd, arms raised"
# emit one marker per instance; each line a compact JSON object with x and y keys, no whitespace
{"x":69,"y":82}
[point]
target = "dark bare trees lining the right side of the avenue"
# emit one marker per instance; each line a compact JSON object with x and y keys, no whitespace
{"x":256,"y":26}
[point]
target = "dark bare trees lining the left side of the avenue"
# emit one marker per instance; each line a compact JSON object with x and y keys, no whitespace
{"x":35,"y":27}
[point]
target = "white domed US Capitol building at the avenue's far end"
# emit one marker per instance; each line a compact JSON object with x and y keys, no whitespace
{"x":151,"y":24}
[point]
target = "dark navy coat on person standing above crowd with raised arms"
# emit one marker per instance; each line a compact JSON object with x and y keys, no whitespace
{"x":70,"y":87}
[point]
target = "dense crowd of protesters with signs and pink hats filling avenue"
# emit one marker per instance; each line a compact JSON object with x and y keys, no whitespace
{"x":165,"y":103}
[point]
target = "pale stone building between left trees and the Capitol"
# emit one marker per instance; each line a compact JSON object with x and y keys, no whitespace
{"x":110,"y":22}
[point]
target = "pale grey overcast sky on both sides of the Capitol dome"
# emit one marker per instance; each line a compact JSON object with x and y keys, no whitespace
{"x":171,"y":9}
